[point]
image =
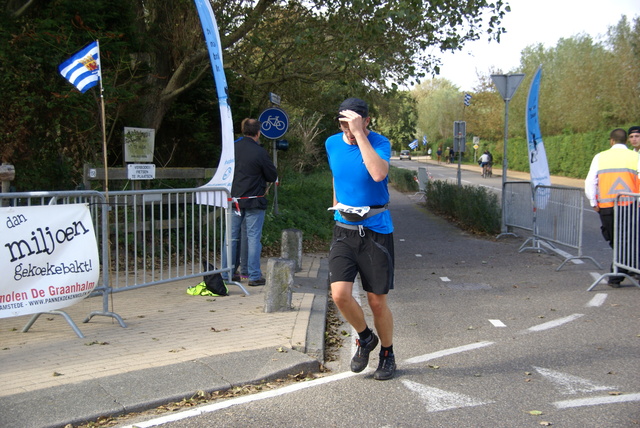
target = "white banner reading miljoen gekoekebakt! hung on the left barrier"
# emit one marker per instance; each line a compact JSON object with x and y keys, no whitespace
{"x":48,"y":258}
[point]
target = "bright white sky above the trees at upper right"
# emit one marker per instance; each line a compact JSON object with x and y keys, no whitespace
{"x":531,"y":22}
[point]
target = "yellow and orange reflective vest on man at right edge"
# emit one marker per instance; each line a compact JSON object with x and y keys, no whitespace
{"x":617,"y":172}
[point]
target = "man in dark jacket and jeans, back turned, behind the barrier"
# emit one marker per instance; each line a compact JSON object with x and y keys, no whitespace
{"x":253,"y":170}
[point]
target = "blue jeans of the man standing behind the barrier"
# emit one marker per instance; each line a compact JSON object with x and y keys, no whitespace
{"x":253,"y":219}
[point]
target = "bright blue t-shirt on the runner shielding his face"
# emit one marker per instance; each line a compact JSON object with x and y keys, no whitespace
{"x":353,"y":183}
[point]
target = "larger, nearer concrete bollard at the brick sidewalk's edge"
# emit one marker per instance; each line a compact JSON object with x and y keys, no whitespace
{"x":277,"y":290}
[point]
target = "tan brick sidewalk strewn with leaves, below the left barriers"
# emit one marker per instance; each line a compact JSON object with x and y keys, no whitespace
{"x":165,"y":326}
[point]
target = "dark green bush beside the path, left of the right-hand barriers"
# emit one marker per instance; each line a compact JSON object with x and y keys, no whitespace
{"x":474,"y":208}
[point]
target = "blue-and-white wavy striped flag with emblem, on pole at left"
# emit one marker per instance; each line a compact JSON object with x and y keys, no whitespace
{"x":82,"y":70}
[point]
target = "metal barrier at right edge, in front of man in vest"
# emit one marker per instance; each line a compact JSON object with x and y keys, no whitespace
{"x":626,"y":239}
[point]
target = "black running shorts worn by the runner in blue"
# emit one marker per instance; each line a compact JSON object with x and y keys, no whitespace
{"x":370,"y":255}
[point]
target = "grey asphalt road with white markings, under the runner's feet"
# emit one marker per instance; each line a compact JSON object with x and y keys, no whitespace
{"x":485,"y":336}
